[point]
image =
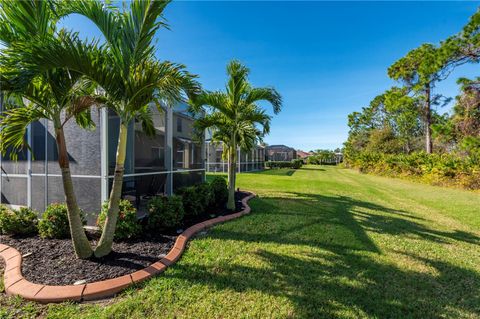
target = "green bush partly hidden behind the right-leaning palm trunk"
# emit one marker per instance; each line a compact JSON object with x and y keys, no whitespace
{"x":127,"y":222}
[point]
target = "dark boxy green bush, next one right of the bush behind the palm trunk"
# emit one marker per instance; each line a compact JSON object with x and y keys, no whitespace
{"x":164,"y":212}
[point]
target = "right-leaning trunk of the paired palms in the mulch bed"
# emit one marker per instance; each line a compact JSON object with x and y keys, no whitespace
{"x":104,"y":246}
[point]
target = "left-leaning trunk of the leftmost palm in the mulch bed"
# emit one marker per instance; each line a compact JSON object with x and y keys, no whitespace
{"x":80,"y":241}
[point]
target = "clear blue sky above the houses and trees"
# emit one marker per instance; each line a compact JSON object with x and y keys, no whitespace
{"x":327,"y":59}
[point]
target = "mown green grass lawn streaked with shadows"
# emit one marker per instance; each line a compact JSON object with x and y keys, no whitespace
{"x":321,"y":242}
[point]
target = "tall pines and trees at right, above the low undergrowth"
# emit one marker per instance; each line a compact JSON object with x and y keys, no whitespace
{"x":404,"y":120}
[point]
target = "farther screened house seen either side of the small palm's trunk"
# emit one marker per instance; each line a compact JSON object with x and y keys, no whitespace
{"x":246,"y":161}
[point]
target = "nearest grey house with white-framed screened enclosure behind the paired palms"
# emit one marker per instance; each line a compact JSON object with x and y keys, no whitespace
{"x":153,"y":165}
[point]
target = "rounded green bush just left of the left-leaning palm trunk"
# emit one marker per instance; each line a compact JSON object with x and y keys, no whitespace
{"x":54,"y":222}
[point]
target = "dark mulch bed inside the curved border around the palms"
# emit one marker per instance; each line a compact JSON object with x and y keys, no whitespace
{"x":53,"y":262}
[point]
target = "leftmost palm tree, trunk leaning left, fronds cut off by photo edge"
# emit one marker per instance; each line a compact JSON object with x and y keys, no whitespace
{"x":57,"y":95}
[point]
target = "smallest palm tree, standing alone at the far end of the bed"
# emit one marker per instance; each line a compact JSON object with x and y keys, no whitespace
{"x":235,"y":117}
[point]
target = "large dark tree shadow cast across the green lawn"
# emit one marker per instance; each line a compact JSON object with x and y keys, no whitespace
{"x":347,"y":274}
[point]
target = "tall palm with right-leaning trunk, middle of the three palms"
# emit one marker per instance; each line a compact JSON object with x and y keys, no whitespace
{"x":125,"y":68}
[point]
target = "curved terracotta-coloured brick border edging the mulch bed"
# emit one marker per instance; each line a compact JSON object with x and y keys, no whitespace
{"x":15,"y":284}
